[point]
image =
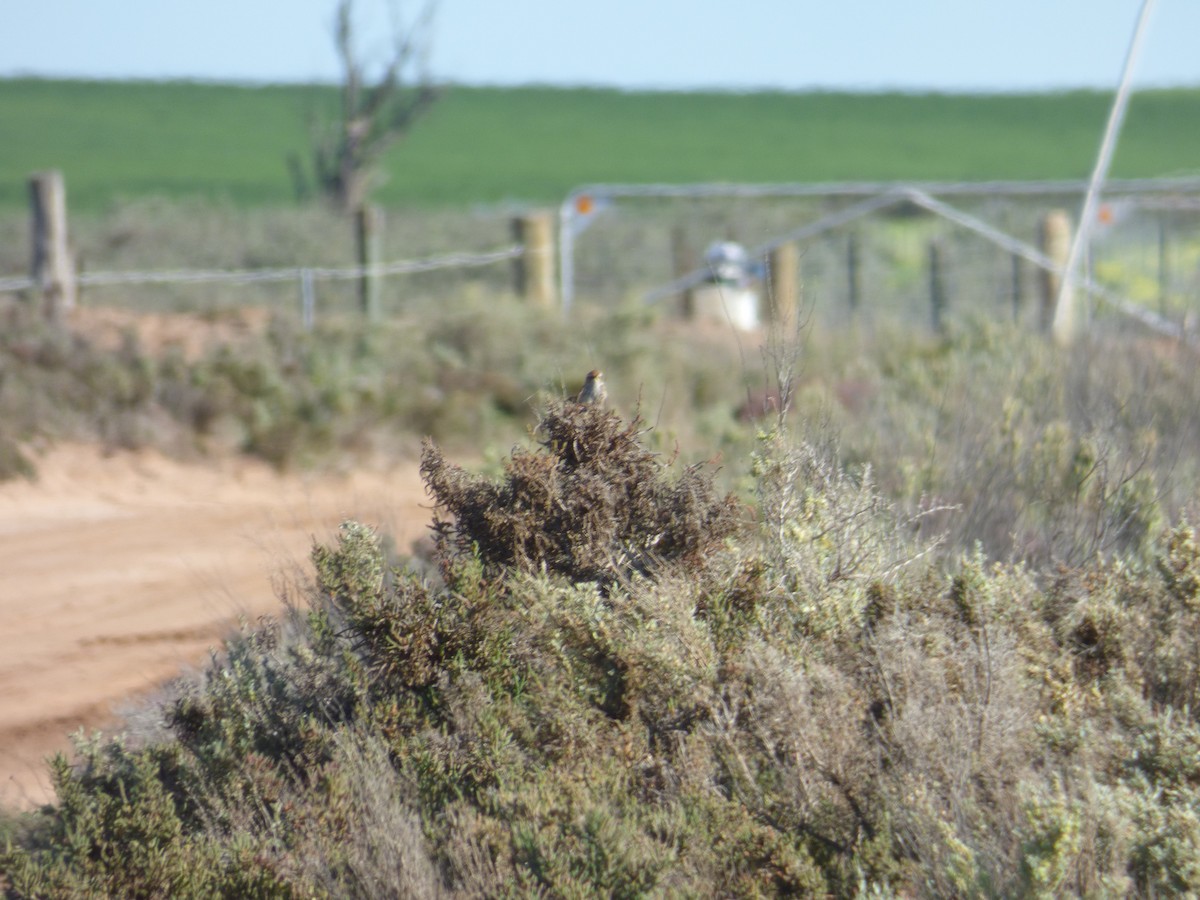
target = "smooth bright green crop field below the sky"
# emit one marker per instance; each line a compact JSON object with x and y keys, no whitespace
{"x":127,"y":140}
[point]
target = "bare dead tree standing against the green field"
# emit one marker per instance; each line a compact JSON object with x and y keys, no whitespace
{"x":375,"y":112}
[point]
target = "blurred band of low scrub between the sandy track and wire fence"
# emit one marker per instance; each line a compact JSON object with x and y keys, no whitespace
{"x":466,"y":375}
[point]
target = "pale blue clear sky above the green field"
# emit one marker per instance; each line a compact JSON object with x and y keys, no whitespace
{"x":676,"y":45}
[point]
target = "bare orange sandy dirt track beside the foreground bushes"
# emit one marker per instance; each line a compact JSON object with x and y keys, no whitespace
{"x":118,"y":572}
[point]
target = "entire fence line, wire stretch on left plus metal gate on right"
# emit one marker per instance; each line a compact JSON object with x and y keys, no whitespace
{"x":868,"y":251}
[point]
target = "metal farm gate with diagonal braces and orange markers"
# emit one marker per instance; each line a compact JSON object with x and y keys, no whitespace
{"x":913,"y":255}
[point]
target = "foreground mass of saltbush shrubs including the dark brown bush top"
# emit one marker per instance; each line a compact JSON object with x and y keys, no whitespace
{"x":806,"y":705}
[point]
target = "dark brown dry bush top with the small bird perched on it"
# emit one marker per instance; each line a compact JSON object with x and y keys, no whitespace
{"x":590,"y":505}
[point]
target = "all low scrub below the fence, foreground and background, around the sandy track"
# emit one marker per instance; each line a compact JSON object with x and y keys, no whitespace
{"x":611,"y":682}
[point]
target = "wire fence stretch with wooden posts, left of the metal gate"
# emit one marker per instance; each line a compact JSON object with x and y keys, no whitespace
{"x":211,"y":259}
